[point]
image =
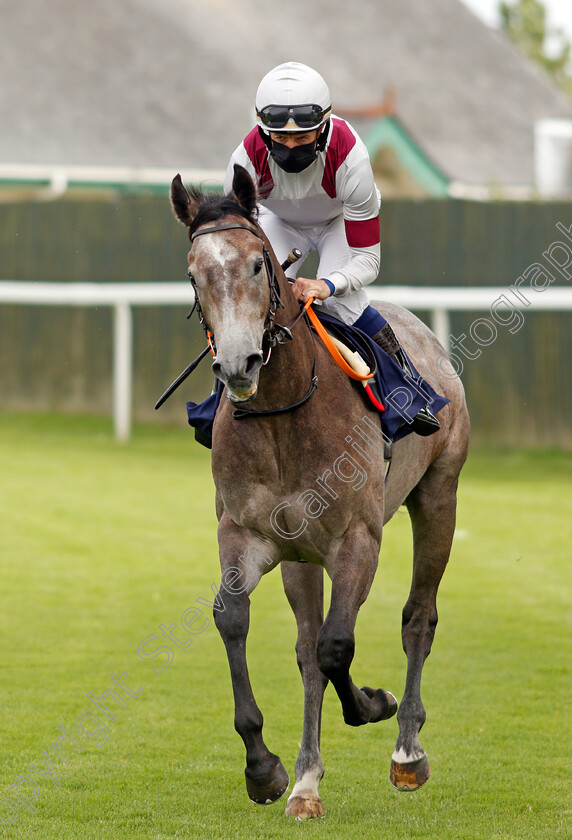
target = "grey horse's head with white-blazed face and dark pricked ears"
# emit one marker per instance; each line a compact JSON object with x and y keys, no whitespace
{"x":233,"y":277}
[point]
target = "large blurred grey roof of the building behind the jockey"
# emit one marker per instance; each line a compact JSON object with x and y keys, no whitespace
{"x":171,"y":82}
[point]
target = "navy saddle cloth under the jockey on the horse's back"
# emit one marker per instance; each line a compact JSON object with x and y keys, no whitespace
{"x":402,"y":396}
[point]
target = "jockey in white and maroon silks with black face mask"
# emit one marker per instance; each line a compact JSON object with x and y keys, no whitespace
{"x":317,"y":193}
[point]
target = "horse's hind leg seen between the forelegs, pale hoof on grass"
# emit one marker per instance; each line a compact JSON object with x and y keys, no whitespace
{"x":304,"y":587}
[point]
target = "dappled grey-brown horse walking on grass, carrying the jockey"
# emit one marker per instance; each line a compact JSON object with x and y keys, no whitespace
{"x":301,"y":482}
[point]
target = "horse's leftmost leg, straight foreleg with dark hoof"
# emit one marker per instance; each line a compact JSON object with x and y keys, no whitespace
{"x":266,"y":778}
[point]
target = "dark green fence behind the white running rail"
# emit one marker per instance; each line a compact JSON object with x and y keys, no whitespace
{"x":519,"y":389}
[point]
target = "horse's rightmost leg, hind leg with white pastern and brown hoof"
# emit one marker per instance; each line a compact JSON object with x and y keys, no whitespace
{"x":432,"y":508}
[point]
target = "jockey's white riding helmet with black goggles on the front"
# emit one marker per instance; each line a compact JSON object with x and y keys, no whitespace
{"x":292,"y":97}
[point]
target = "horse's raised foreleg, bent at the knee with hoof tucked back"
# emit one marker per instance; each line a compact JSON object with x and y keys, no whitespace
{"x":352,"y":577}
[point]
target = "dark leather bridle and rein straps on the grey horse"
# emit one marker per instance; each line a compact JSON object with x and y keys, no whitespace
{"x":273,"y":333}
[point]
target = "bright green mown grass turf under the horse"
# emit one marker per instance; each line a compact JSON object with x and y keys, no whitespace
{"x":101,"y":544}
